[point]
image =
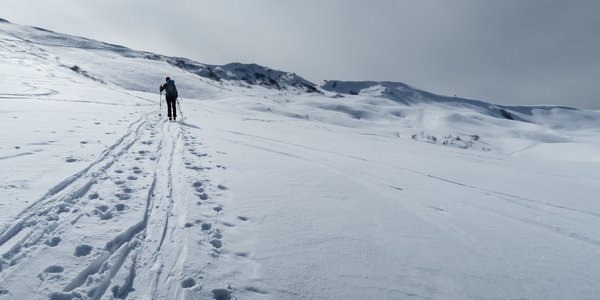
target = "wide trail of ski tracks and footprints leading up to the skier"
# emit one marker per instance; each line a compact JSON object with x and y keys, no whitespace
{"x":143,"y":213}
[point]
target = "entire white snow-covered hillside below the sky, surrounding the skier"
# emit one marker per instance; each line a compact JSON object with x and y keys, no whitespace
{"x":264,"y":191}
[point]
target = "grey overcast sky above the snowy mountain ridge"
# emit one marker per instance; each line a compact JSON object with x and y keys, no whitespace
{"x":501,"y":51}
